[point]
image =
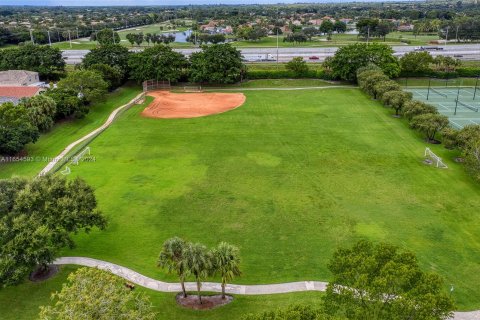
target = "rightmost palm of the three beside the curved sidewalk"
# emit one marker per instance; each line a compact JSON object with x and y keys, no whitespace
{"x":227,"y":263}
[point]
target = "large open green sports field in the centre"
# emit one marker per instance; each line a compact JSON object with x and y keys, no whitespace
{"x":287,"y":177}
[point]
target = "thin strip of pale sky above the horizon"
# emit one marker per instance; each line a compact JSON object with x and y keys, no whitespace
{"x":147,"y":2}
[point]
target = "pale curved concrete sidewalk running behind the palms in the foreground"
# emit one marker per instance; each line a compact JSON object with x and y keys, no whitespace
{"x":257,"y":289}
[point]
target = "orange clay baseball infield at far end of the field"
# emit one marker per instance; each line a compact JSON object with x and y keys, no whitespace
{"x":169,"y":105}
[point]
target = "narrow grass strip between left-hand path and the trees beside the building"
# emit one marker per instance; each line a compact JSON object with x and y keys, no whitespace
{"x":52,"y":143}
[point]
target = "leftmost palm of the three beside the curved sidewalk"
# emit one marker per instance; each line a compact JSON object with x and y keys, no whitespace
{"x":172,"y":258}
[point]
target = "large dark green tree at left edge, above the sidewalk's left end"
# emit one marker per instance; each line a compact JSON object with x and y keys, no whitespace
{"x":39,"y":221}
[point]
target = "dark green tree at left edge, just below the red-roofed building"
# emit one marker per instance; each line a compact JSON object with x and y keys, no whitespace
{"x":16,"y":130}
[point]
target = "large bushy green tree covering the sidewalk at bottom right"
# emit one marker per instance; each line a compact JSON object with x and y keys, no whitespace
{"x":383,"y":282}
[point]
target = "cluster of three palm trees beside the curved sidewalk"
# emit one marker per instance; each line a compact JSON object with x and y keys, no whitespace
{"x":186,"y":259}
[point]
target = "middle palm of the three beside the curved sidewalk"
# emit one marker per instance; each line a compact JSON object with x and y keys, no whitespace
{"x":198,"y":260}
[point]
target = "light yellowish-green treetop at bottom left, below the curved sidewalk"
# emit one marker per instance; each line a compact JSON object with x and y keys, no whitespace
{"x":95,"y":294}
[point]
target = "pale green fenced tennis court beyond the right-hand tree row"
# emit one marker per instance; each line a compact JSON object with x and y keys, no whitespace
{"x":460,"y":104}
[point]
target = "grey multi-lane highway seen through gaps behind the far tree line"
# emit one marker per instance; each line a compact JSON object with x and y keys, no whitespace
{"x":463,"y":52}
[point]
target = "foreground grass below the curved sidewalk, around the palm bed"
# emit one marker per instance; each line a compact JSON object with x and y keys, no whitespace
{"x":22,"y":302}
